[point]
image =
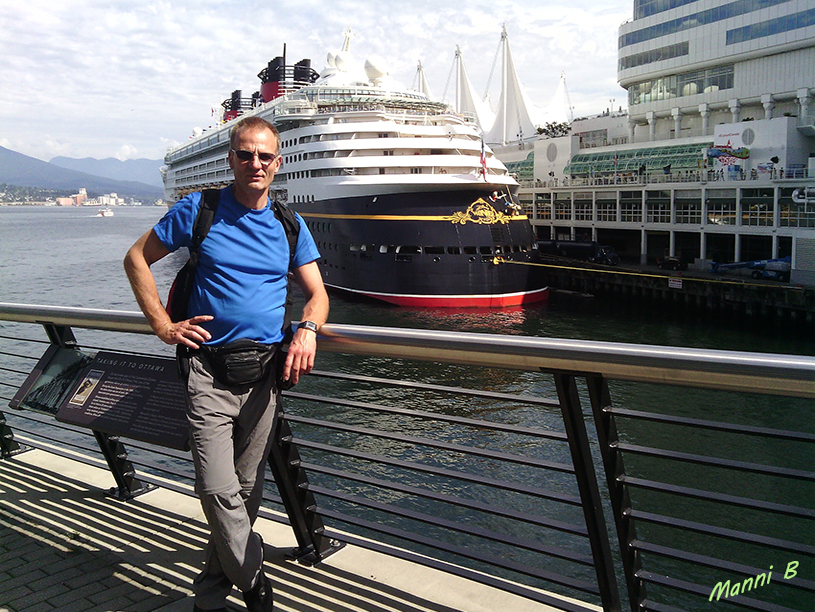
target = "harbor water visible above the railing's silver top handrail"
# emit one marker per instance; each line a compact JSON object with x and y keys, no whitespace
{"x":69,"y":256}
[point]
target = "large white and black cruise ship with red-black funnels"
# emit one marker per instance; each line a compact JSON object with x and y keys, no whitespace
{"x":405,"y":201}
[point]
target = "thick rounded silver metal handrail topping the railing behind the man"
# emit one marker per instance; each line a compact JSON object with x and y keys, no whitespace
{"x":789,"y":375}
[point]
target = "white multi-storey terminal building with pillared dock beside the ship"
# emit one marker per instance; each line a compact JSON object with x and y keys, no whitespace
{"x":714,"y":158}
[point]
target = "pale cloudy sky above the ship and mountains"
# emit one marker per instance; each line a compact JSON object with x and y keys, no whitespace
{"x":124,"y":79}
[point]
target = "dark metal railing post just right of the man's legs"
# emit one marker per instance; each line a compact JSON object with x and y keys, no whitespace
{"x":301,"y":507}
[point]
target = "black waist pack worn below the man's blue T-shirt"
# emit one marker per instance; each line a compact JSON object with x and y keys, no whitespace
{"x":242,"y":362}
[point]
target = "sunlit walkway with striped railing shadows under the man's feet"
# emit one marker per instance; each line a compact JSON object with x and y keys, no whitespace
{"x":66,"y":546}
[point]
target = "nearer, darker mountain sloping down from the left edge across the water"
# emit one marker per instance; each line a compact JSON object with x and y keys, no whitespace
{"x":25,"y":171}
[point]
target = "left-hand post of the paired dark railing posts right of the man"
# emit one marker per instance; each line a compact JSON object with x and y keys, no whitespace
{"x":589,"y":491}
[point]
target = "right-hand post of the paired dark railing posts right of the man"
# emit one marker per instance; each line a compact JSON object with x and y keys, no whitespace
{"x":618,"y":491}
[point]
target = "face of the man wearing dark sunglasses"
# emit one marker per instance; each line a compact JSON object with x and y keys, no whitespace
{"x":254,"y":175}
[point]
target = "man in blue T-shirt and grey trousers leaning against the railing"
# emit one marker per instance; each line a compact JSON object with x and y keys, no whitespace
{"x":240,"y":294}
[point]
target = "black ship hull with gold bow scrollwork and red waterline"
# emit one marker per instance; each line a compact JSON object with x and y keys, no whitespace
{"x":469,"y":248}
